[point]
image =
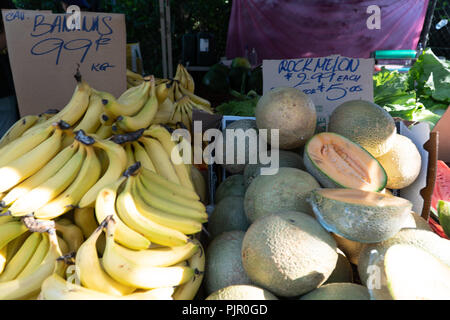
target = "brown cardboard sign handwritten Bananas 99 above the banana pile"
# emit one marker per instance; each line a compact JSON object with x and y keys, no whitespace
{"x":44,"y":55}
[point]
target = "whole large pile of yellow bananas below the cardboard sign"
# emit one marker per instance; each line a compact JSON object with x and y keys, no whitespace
{"x":115,"y":191}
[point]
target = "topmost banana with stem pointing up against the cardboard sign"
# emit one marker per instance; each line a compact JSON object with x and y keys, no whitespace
{"x":73,"y":111}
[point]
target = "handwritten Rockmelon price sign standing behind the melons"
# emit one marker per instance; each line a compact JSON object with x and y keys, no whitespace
{"x":329,"y":81}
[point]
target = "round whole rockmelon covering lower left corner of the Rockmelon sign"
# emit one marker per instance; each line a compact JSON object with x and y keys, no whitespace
{"x":290,"y":111}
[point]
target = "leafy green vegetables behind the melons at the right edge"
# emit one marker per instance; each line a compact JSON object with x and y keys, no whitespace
{"x":422,"y":94}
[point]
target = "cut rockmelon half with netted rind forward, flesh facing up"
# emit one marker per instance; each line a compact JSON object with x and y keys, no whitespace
{"x":358,"y":215}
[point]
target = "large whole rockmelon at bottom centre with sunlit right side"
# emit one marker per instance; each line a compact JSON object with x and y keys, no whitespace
{"x":288,"y":253}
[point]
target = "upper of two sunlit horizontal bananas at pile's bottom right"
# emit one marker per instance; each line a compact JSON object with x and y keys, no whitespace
{"x":158,"y":257}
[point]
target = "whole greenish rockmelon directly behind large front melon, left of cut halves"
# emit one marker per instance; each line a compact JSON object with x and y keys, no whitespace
{"x":285,"y":191}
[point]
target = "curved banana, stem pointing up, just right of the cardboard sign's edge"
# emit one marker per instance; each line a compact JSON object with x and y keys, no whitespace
{"x":144,"y":117}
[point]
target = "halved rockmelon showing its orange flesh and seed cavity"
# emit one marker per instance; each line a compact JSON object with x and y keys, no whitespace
{"x":337,"y":162}
